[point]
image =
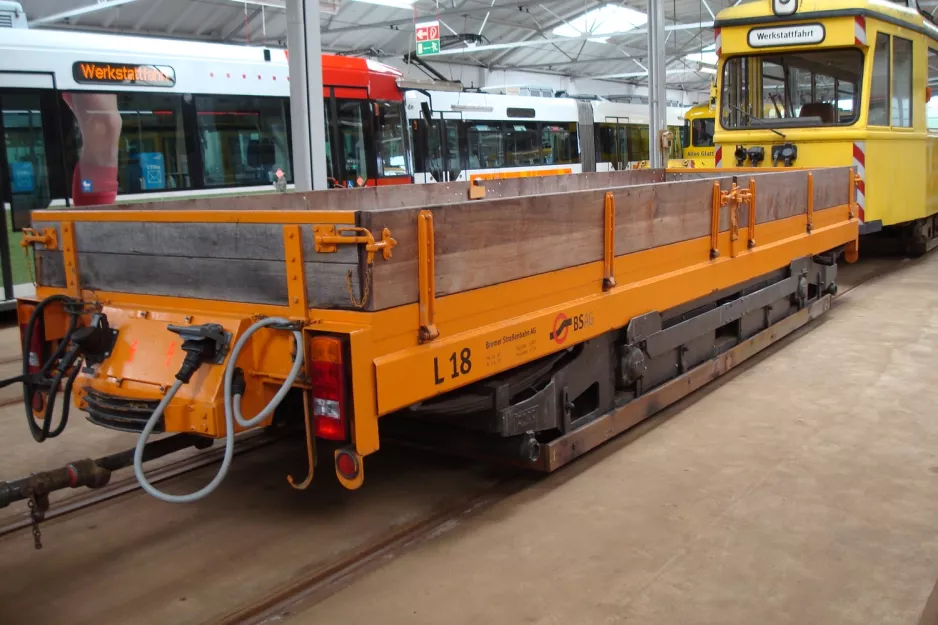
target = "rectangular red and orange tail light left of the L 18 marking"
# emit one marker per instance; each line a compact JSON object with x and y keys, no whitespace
{"x":328,"y":389}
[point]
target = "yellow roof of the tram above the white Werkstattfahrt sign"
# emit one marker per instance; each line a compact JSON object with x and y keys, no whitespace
{"x":750,"y":12}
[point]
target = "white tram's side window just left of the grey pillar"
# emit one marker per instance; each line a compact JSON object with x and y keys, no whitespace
{"x":243,"y":139}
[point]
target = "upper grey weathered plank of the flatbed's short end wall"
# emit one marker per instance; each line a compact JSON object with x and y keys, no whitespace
{"x":233,"y":241}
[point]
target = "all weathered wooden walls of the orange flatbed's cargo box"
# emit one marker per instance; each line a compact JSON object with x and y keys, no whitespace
{"x":532,"y":226}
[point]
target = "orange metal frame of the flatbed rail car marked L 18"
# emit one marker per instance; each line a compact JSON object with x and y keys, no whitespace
{"x":400,"y":356}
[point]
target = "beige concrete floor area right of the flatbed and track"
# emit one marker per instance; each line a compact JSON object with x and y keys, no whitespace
{"x":801,"y":491}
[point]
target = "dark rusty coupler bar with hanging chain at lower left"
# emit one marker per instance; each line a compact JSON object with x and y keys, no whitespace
{"x":91,"y":473}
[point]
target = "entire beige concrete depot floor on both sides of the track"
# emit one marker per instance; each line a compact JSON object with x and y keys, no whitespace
{"x":799,"y":490}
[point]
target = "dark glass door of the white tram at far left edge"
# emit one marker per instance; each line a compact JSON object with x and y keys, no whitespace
{"x":24,"y":158}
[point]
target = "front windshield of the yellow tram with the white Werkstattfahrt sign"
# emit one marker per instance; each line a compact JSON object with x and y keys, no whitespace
{"x":793,"y":89}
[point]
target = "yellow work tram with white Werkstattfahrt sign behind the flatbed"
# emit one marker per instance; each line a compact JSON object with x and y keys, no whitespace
{"x":809,"y":83}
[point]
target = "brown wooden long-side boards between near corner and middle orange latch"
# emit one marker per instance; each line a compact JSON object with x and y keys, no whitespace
{"x":487,"y":242}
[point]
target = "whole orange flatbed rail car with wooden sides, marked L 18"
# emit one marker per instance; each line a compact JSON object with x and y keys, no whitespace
{"x":525,"y":319}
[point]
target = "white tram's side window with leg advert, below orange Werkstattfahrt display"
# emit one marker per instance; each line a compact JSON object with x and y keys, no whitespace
{"x":146,"y":132}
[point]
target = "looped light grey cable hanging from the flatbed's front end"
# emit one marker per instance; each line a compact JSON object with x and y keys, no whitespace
{"x":232,"y":414}
